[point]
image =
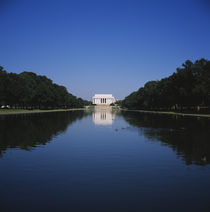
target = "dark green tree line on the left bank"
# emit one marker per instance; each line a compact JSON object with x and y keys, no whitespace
{"x":28,"y":90}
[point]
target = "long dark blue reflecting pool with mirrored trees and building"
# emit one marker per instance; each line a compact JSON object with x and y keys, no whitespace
{"x":104,"y":160}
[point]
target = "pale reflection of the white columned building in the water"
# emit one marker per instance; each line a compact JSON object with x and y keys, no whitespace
{"x":103,"y":116}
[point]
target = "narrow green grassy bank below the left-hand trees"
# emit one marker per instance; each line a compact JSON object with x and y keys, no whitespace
{"x":22,"y":111}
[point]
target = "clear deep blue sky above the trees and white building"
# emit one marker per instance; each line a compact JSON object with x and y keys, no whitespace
{"x":102,"y":46}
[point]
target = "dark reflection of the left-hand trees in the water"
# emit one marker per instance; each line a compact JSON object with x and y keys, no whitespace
{"x":28,"y":131}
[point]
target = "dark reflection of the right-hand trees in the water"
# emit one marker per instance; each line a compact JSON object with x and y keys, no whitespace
{"x":188,"y":136}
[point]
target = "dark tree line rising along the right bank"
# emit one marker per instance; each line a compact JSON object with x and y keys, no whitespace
{"x":186,"y":89}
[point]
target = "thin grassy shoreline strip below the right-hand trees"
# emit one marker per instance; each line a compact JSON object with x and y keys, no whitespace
{"x":171,"y":113}
